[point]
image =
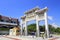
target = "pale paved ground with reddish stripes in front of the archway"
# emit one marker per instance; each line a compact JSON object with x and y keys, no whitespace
{"x":26,"y":38}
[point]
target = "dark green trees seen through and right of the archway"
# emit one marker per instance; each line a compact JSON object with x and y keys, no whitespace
{"x":32,"y":28}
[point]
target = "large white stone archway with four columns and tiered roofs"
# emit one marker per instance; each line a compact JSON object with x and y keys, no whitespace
{"x":38,"y":15}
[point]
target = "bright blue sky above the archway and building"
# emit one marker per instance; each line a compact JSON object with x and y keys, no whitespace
{"x":16,"y":8}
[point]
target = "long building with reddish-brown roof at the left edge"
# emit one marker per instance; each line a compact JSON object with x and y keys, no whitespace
{"x":7,"y":23}
